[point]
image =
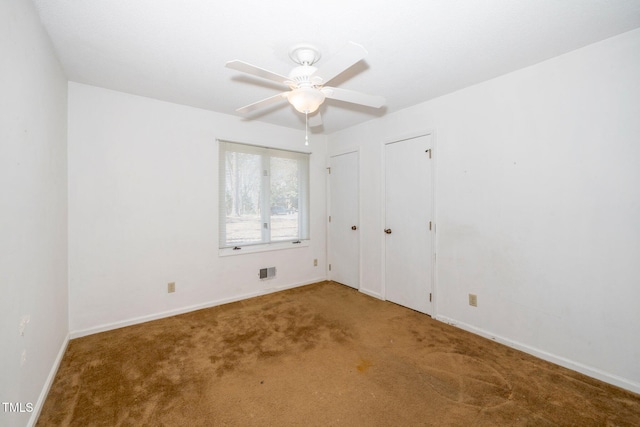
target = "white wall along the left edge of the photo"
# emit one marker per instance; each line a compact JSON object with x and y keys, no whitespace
{"x":33,"y":210}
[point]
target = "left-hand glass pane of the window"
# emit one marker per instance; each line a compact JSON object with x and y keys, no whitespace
{"x":242,"y":198}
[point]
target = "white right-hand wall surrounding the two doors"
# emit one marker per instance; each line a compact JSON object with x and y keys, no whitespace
{"x":538,"y":206}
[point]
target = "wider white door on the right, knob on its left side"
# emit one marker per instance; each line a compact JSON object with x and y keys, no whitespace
{"x":408,"y":223}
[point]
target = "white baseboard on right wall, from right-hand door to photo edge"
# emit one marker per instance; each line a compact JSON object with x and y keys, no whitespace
{"x":558,"y":360}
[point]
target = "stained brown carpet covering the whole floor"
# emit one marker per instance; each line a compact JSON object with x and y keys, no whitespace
{"x":323,"y":355}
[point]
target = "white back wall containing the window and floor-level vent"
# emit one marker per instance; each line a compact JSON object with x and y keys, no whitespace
{"x":143,"y":210}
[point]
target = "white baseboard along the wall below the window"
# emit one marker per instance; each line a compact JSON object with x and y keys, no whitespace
{"x":182,"y":310}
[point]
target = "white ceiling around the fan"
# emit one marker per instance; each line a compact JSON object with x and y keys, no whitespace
{"x":175,"y":50}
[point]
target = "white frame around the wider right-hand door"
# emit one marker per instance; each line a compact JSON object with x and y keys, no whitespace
{"x":383,"y":215}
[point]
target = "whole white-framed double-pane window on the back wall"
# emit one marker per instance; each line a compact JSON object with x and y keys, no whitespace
{"x":263,"y":195}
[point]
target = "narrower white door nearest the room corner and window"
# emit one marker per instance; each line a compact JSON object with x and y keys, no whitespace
{"x":344,"y":235}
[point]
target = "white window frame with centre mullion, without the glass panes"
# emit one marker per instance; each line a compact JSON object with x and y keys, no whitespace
{"x":302,"y":240}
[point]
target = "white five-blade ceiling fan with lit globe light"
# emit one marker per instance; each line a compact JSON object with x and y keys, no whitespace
{"x":307,"y":83}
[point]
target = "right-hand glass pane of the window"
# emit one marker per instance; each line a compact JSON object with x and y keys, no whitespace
{"x":284,"y":199}
